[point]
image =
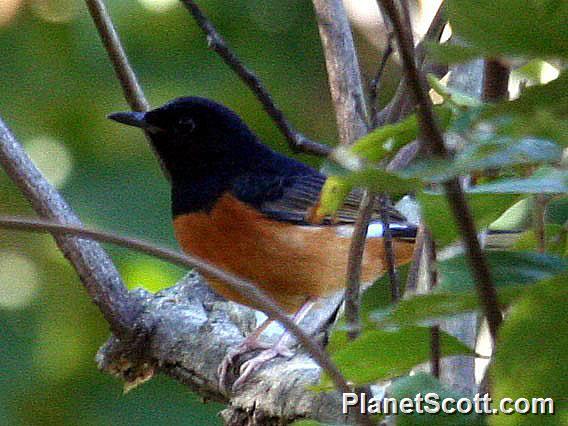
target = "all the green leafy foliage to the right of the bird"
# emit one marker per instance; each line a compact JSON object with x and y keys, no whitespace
{"x":514,"y":152}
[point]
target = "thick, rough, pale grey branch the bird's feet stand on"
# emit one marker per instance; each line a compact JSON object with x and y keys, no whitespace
{"x":191,"y":331}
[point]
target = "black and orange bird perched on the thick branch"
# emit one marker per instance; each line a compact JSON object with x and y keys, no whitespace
{"x":249,"y":210}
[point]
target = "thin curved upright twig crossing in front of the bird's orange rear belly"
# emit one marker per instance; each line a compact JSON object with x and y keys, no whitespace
{"x":356,"y":249}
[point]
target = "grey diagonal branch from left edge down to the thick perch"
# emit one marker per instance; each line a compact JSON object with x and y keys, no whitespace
{"x":94,"y":267}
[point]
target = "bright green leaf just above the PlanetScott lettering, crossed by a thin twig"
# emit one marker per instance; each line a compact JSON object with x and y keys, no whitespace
{"x":381,"y":354}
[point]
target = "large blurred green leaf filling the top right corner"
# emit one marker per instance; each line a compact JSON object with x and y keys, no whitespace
{"x":512,"y":27}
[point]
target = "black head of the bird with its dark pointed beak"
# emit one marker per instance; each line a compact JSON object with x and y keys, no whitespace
{"x":196,"y":136}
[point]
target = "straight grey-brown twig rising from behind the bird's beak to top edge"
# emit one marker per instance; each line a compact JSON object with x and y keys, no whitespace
{"x":132,"y":91}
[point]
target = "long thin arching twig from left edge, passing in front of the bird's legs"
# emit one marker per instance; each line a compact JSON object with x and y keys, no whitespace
{"x":241,"y":286}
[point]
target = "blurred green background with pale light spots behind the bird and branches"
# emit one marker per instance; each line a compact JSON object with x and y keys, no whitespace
{"x":56,"y":87}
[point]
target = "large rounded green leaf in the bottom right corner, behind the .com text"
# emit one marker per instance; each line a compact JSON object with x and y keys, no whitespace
{"x":531,"y":359}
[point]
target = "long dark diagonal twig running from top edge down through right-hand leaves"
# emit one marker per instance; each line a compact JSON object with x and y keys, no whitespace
{"x":431,"y":134}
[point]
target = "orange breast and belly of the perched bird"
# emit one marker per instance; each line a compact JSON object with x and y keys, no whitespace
{"x":287,"y":261}
